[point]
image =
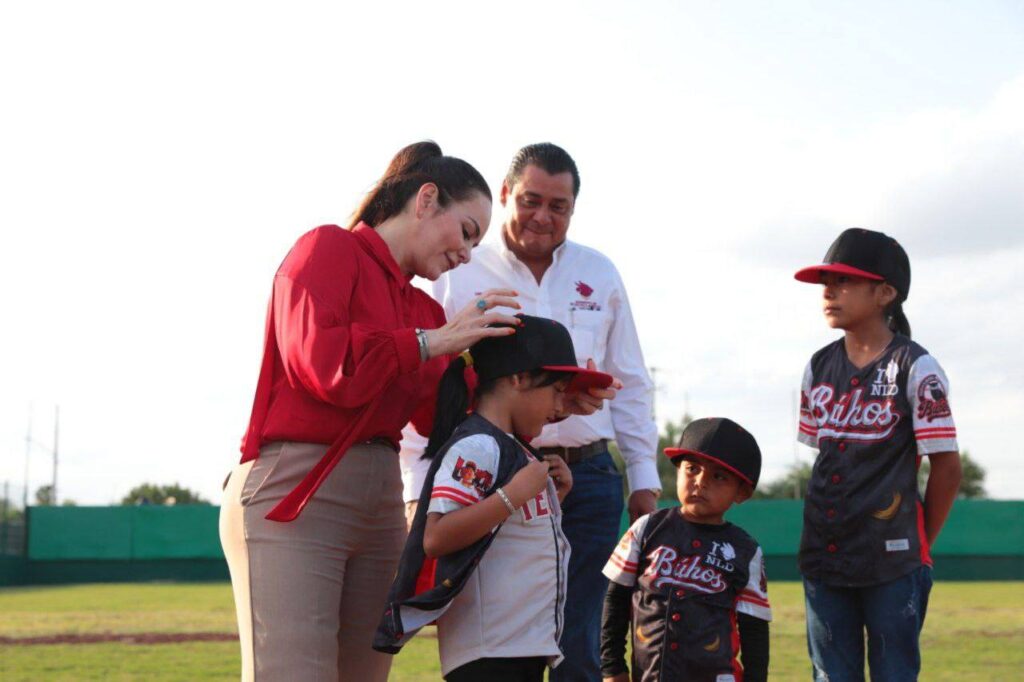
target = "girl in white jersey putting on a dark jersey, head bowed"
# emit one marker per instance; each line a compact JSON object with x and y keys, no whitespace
{"x":486,"y":557}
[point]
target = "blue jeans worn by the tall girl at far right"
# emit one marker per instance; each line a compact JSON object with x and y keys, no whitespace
{"x":893,"y":615}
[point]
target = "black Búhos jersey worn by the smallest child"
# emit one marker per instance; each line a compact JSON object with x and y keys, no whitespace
{"x":690,"y":581}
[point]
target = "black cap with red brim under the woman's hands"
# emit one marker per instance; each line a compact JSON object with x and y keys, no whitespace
{"x":538,"y":344}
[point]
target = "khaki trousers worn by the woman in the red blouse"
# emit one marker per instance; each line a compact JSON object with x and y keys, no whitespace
{"x":310,"y":593}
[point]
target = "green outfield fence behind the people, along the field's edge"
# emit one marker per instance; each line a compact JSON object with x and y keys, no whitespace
{"x":984,"y":540}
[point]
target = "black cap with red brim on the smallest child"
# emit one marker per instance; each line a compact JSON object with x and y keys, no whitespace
{"x":723,"y":442}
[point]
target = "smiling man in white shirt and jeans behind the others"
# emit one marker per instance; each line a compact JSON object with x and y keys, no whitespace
{"x":582,"y":289}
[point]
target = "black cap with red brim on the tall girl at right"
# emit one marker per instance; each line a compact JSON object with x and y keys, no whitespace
{"x":865,"y":253}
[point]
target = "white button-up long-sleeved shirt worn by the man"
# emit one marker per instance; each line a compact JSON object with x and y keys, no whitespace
{"x":582,"y":290}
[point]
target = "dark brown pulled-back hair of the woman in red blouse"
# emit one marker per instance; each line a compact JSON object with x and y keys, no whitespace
{"x":413,"y":167}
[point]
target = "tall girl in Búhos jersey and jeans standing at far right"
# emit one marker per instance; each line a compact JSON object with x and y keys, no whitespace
{"x":873,"y":403}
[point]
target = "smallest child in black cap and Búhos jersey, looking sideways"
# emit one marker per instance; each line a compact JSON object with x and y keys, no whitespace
{"x":696,"y":583}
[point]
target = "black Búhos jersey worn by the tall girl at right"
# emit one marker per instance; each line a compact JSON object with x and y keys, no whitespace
{"x":864,"y":520}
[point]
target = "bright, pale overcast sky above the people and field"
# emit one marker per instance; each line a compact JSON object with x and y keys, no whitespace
{"x":157,"y":163}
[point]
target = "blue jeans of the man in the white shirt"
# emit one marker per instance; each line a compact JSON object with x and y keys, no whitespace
{"x":591,"y":516}
